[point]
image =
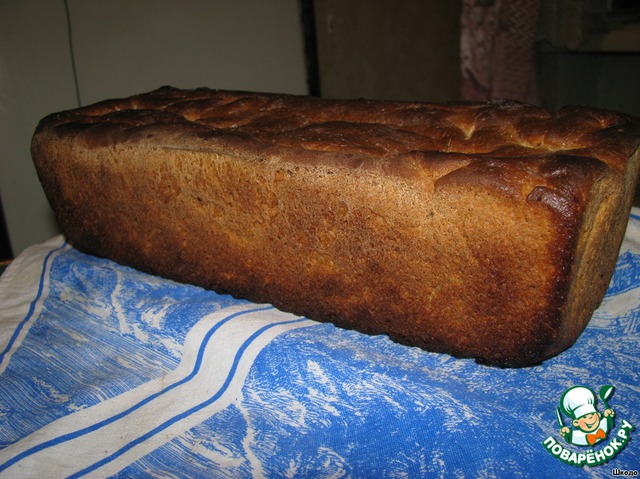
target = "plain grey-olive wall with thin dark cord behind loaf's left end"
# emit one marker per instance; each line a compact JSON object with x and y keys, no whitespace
{"x":123,"y":47}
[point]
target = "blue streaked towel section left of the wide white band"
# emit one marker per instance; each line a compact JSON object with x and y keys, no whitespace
{"x":72,"y":338}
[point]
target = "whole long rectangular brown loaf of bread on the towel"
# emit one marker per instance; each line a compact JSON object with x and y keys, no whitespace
{"x":482,"y":230}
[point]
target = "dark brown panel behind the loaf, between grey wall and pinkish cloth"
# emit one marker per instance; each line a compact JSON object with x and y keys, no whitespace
{"x":406,"y":50}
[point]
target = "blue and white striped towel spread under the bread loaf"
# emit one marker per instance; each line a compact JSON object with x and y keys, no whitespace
{"x":108,"y":372}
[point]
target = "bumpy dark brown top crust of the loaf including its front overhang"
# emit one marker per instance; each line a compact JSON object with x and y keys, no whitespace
{"x":482,"y":139}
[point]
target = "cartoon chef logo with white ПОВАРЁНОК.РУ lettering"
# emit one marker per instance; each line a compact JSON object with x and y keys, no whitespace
{"x":581,"y":424}
